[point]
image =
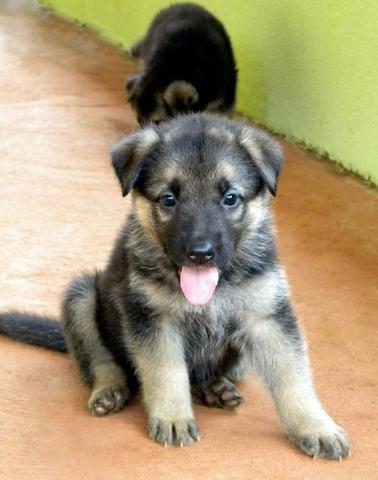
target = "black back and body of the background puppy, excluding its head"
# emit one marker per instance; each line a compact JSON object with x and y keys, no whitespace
{"x":185,"y":41}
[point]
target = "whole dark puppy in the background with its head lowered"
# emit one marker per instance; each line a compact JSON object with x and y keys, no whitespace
{"x":187,"y":66}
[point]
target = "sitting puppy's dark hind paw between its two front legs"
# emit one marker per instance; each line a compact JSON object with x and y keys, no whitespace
{"x":222,"y":394}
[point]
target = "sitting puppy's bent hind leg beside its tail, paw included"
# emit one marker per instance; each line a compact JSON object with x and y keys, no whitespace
{"x":95,"y":362}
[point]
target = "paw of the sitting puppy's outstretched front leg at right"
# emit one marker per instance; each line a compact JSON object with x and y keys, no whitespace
{"x":330,"y":442}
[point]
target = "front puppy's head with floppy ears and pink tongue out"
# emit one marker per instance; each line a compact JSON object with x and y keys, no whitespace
{"x":200,"y":185}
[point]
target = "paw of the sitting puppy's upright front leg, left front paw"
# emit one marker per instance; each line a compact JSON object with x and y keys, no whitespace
{"x":174,"y":431}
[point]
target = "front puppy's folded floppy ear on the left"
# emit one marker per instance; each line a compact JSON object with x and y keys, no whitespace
{"x":129,"y":156}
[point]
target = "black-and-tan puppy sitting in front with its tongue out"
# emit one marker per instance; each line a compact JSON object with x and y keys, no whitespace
{"x":193,"y":296}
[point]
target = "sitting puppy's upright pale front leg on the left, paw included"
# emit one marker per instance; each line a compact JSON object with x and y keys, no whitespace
{"x":164,"y":378}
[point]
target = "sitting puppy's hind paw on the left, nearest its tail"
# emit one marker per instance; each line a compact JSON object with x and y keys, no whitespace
{"x":108,"y":400}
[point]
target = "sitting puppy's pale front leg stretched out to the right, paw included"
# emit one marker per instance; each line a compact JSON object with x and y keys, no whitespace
{"x":280,"y":360}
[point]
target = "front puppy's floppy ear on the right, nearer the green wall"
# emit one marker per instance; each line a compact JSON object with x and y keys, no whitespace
{"x":265,"y":152}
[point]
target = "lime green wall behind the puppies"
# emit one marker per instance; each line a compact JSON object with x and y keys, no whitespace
{"x":308,"y":69}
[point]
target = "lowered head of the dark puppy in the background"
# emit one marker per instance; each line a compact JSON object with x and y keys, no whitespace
{"x":153,"y":104}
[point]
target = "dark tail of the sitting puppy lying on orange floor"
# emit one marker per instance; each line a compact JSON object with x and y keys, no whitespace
{"x":33,"y":329}
